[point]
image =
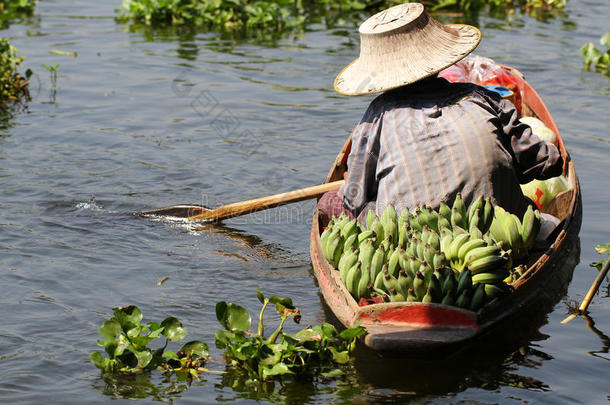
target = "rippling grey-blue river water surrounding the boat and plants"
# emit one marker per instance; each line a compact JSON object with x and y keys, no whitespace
{"x":142,"y":119}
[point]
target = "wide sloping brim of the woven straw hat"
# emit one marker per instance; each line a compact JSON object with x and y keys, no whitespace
{"x":401,"y":69}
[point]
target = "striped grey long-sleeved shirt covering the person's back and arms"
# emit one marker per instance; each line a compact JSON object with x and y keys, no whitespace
{"x":424,"y":143}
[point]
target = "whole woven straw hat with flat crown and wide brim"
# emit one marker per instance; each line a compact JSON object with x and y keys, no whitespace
{"x":402,"y":45}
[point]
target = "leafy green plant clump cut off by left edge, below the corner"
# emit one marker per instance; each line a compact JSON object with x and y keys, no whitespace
{"x":13,"y":86}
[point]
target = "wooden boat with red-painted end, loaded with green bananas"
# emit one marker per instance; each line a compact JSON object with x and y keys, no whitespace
{"x":416,"y":327}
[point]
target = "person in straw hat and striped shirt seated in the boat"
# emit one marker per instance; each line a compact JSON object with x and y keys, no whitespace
{"x":425,"y":139}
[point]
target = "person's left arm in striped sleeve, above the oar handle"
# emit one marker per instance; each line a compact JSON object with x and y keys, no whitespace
{"x":360,"y":185}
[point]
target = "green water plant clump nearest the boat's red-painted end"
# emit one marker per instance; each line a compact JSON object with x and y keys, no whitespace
{"x":314,"y":350}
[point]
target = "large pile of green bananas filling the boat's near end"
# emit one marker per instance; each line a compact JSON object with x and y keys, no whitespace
{"x":426,"y":256}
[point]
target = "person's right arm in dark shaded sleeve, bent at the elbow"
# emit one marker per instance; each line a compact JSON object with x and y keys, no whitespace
{"x":533,"y":157}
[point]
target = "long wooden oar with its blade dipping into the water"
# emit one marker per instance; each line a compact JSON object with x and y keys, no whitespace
{"x":202,"y":214}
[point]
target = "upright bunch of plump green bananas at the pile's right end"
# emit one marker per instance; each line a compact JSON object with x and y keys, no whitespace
{"x":516,"y":236}
